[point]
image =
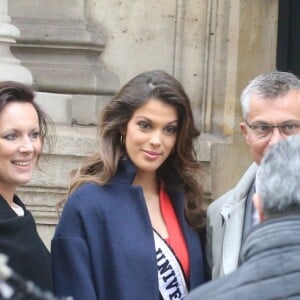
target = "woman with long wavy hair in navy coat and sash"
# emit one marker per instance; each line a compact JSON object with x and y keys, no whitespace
{"x":128,"y":229}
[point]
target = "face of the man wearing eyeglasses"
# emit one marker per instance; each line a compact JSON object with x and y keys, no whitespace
{"x":281,"y":110}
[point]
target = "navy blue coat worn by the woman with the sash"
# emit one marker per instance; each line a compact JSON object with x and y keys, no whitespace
{"x":103,"y":247}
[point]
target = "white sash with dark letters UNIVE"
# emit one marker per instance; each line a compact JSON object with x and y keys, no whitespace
{"x":171,"y":280}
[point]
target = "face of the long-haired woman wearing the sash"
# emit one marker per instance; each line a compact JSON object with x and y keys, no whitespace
{"x":151,"y":135}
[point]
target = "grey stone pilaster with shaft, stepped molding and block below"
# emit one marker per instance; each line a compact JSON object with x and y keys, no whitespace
{"x":61,"y":45}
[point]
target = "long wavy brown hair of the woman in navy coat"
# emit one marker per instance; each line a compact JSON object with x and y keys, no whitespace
{"x":183,"y":163}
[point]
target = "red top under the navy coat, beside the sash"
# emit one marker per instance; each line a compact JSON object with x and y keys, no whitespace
{"x":176,"y":239}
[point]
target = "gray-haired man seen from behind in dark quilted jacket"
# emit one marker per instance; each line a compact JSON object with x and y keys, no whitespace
{"x":270,"y":258}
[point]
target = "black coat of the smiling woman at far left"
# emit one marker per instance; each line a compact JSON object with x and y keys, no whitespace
{"x":20,"y":241}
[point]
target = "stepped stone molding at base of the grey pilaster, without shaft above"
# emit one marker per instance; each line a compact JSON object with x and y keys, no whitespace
{"x":62,"y":53}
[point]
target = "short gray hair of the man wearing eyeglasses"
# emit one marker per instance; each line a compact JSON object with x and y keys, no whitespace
{"x":268,"y":86}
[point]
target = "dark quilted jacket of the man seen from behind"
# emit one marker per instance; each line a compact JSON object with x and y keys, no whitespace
{"x":270,"y":266}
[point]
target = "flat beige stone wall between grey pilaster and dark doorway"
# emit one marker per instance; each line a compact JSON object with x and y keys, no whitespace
{"x":214,"y":47}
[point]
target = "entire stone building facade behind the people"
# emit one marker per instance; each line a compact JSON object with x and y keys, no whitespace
{"x":77,"y":53}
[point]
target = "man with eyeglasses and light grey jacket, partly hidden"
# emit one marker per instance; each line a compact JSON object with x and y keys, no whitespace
{"x":271,"y":112}
